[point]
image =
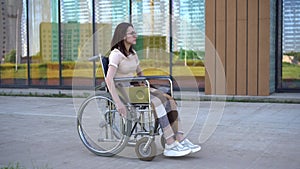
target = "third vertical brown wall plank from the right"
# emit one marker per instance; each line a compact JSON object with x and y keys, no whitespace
{"x":241,"y":47}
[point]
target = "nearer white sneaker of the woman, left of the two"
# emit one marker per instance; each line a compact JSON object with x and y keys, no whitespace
{"x":176,"y":150}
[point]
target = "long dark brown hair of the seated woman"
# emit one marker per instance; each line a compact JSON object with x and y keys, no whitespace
{"x":117,"y":41}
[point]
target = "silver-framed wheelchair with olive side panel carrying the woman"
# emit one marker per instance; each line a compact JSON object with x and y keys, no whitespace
{"x":104,"y":132}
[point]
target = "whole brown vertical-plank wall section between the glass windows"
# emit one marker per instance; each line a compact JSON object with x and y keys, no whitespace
{"x":240,"y":32}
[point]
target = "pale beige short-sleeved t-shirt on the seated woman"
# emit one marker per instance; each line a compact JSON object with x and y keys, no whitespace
{"x":126,"y":66}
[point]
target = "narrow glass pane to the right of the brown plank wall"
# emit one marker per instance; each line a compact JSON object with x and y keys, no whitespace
{"x":291,"y":45}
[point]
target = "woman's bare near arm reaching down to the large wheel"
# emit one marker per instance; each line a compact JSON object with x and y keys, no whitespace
{"x":112,"y":89}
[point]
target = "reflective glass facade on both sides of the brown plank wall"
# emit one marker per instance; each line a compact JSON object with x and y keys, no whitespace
{"x":47,"y":43}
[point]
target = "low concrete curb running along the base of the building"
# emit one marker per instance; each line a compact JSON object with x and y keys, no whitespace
{"x":184,"y":95}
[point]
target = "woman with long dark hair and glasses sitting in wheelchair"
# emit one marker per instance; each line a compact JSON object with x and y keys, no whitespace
{"x":124,"y":62}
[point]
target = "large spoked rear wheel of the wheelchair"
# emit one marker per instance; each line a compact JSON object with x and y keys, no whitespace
{"x":101,"y":128}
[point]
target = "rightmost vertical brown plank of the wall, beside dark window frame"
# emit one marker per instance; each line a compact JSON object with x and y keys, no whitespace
{"x":264,"y":48}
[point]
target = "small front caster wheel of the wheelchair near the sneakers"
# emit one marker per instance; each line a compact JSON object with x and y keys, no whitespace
{"x":143,"y":153}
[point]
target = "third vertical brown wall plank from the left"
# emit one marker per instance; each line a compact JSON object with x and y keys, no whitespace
{"x":231,"y":47}
